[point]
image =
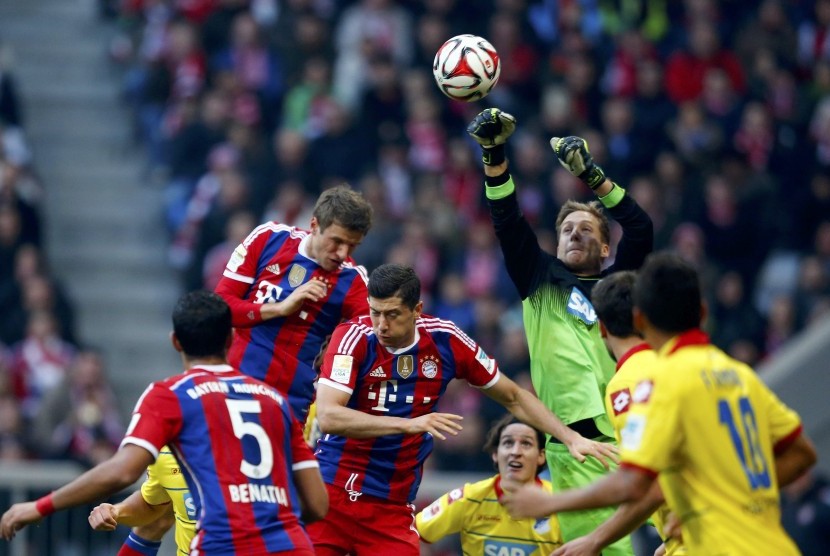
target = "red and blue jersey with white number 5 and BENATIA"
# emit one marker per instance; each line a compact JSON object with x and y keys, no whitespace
{"x":238,"y":445}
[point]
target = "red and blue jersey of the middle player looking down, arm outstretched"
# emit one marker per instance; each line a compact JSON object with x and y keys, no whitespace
{"x":405,"y":383}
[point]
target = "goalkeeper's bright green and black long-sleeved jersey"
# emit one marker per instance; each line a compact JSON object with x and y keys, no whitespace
{"x":569,"y":363}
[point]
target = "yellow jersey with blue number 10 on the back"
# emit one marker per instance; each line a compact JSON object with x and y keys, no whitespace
{"x":710,"y":428}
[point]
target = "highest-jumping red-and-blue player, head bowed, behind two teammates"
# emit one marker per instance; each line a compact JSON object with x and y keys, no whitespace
{"x":289,"y":288}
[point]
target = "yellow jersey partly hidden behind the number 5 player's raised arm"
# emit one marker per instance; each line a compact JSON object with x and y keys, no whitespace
{"x":165,"y":483}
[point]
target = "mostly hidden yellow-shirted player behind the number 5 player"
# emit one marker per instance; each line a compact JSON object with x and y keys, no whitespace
{"x":165,"y":485}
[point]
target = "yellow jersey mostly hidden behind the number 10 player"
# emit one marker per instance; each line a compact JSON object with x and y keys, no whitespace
{"x":636,"y":365}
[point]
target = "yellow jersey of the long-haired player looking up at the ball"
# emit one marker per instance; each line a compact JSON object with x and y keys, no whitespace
{"x":485,"y":526}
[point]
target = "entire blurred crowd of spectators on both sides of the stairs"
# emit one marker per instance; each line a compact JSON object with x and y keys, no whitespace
{"x":714,"y":115}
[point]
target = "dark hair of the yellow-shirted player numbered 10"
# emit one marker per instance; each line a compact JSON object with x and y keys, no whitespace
{"x":667,"y":291}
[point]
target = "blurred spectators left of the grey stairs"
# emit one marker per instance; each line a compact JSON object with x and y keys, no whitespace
{"x":55,"y":399}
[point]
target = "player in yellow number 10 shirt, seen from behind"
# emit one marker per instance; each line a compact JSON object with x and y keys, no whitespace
{"x":720,"y":441}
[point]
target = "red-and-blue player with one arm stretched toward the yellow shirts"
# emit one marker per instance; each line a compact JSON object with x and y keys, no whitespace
{"x":381,"y":379}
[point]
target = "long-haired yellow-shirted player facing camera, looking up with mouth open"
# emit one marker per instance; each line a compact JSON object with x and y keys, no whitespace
{"x":474,"y":510}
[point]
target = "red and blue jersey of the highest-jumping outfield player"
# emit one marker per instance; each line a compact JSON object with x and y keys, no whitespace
{"x":266,"y":268}
